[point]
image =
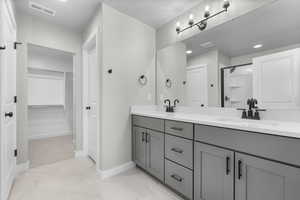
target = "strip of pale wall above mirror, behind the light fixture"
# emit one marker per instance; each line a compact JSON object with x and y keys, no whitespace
{"x":166,"y":35}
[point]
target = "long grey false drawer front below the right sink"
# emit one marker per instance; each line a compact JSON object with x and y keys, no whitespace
{"x":278,"y":148}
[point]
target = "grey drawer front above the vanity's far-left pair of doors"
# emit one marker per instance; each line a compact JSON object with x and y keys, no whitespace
{"x":148,"y":122}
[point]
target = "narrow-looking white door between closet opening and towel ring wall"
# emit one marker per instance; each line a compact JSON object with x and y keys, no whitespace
{"x":92,"y":103}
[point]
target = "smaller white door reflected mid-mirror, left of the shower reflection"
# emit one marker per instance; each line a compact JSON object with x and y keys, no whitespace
{"x":196,"y":86}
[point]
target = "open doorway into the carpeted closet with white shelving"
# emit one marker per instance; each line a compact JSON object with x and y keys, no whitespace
{"x":50,"y":105}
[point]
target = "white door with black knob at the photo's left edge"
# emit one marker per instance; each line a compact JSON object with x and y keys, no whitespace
{"x":7,"y":94}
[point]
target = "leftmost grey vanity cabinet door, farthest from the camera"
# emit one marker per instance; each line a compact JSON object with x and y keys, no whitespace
{"x":140,"y":146}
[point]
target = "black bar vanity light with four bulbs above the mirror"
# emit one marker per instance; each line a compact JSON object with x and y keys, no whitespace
{"x":202,"y":24}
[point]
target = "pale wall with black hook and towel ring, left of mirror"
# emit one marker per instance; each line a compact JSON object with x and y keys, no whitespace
{"x":129,"y":50}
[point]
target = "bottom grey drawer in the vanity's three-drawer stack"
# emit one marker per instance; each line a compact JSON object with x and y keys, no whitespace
{"x":179,"y":178}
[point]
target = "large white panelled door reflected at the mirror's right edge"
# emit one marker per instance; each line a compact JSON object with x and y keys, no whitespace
{"x":270,"y":92}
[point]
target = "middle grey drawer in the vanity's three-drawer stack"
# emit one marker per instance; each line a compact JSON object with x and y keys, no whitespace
{"x":179,"y":150}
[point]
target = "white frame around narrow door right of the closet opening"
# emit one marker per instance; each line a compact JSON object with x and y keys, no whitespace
{"x":92,"y":41}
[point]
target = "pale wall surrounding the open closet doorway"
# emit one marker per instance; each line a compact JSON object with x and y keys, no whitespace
{"x":32,"y":30}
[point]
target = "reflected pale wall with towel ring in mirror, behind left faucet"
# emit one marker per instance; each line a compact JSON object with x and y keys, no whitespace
{"x":171,"y":63}
